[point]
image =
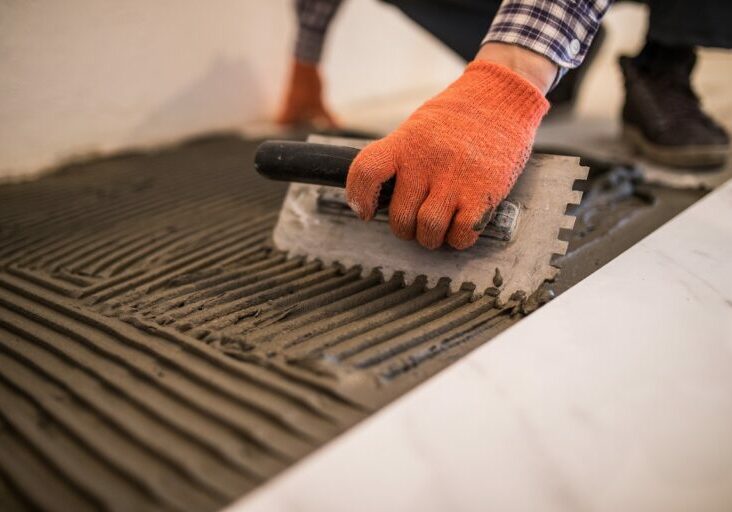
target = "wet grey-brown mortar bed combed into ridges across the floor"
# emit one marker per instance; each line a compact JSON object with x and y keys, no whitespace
{"x":156,"y":353}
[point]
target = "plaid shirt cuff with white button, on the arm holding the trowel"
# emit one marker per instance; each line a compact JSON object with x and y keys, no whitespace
{"x":561,"y":30}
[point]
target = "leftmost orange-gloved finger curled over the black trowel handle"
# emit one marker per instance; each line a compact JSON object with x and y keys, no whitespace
{"x":370,"y":169}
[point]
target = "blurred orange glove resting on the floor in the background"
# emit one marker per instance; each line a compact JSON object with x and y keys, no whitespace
{"x":303,"y":104}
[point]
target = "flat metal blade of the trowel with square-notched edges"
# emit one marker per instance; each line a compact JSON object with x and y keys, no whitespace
{"x":543,"y":192}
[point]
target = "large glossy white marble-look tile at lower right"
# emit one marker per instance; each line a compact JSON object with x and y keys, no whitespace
{"x":615,"y":396}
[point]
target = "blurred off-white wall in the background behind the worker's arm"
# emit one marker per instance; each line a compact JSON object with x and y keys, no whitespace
{"x":85,"y":76}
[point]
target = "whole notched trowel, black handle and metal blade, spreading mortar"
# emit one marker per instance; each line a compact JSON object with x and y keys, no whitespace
{"x":517,"y":243}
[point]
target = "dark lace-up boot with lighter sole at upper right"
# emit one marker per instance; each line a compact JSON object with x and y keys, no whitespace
{"x":662,"y":115}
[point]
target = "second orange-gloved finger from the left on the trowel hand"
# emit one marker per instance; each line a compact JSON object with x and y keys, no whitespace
{"x":409,"y":194}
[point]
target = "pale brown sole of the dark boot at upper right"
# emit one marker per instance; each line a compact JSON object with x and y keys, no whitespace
{"x":684,"y":156}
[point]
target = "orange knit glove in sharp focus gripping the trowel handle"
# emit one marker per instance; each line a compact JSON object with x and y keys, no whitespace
{"x":455,"y":158}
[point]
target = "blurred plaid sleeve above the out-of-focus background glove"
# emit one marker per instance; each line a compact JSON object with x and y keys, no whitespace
{"x":313,"y":18}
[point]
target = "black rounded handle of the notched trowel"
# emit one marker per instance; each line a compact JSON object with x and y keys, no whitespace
{"x":306,"y":162}
